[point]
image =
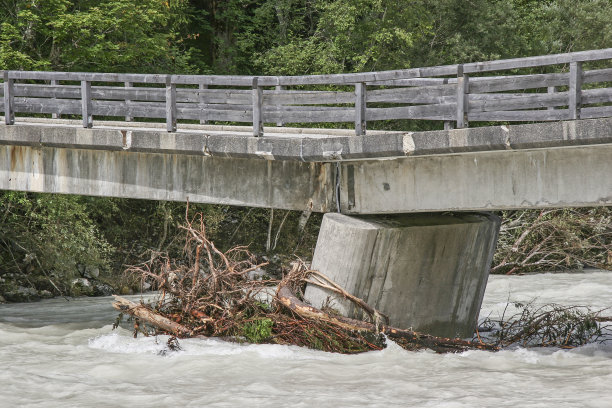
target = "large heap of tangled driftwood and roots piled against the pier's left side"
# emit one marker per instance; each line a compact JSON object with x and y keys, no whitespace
{"x":210,"y":294}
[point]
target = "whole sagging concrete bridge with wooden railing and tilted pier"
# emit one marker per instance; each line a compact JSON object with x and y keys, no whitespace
{"x":166,"y":137}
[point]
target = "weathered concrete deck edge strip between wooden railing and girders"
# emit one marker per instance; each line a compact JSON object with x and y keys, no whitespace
{"x":309,"y":145}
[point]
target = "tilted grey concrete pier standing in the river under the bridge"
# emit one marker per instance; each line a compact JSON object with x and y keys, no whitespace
{"x":425,"y":271}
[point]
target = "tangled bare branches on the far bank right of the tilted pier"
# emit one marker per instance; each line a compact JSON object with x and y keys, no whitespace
{"x":545,"y":240}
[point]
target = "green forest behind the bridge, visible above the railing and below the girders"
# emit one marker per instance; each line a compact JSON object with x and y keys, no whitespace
{"x":54,"y":245}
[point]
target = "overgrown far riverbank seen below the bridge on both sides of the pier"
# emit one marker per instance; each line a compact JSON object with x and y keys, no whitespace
{"x":79,"y":246}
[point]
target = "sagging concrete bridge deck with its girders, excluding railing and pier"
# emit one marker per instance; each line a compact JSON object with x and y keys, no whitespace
{"x":560,"y":164}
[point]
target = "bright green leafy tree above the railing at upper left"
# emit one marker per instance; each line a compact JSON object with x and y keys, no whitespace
{"x":109,"y":35}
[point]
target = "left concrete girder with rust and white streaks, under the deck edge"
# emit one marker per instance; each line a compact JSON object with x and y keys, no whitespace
{"x":175,"y":177}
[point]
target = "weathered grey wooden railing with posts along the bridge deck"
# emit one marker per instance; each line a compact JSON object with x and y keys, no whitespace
{"x":452,"y":93}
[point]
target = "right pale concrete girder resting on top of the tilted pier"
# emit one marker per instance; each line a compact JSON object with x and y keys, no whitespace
{"x":562,"y":177}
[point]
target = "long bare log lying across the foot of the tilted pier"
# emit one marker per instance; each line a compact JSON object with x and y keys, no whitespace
{"x":416,"y":339}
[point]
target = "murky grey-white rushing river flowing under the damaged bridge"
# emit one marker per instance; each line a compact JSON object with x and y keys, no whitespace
{"x":65,"y":354}
